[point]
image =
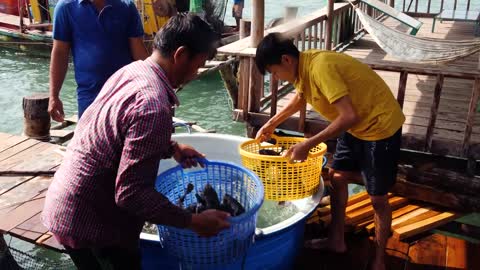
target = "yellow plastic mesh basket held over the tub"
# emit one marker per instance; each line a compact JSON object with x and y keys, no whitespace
{"x":282,"y":180}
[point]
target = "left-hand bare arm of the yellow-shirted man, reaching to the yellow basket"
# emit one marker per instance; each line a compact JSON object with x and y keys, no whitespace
{"x":293,"y":106}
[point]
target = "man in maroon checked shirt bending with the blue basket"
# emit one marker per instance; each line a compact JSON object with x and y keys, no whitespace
{"x":103,"y":192}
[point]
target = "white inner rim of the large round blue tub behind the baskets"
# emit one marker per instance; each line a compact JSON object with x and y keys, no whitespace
{"x":224,"y":147}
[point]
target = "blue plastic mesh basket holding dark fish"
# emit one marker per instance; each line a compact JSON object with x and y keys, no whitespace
{"x":230,"y":244}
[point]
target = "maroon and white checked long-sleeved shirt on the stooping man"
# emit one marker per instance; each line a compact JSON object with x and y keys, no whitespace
{"x":104,"y":190}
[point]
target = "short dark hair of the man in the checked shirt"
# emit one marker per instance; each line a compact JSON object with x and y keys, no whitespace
{"x":189,"y":31}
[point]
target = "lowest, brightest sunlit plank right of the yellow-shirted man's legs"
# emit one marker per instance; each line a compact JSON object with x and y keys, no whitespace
{"x":424,"y":225}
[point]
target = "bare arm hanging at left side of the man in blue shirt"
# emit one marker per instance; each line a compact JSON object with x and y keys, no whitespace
{"x":58,"y":69}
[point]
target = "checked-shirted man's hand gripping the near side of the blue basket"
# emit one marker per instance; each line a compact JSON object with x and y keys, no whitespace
{"x":209,"y":223}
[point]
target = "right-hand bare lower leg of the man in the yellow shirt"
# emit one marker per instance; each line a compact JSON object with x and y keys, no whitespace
{"x":383,"y":223}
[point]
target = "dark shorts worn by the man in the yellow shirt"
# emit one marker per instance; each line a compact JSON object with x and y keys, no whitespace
{"x":376,"y":160}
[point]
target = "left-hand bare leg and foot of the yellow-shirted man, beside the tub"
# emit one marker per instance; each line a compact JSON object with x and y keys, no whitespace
{"x":336,"y":235}
